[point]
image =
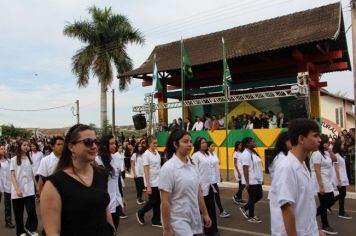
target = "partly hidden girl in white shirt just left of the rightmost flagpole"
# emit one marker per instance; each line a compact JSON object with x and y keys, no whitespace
{"x":216,"y":178}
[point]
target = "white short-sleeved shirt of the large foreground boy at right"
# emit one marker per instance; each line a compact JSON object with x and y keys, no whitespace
{"x":291,"y":184}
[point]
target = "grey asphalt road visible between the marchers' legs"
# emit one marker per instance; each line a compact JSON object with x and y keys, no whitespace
{"x":235,"y":225}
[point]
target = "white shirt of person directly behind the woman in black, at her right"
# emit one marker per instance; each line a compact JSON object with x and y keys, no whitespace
{"x":113,"y":184}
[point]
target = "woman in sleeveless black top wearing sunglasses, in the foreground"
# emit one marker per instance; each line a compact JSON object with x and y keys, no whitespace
{"x":74,"y":200}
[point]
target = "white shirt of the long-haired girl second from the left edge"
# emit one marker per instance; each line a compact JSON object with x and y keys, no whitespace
{"x":24,"y":179}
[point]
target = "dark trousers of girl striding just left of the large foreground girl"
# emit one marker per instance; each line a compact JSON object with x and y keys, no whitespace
{"x":154,"y":202}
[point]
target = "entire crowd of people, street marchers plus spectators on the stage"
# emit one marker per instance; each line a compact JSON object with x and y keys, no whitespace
{"x":79,"y":180}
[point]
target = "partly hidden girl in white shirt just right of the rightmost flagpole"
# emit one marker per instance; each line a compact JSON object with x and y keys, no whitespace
{"x":238,"y":173}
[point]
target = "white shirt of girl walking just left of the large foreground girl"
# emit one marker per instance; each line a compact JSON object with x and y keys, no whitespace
{"x":153,"y":161}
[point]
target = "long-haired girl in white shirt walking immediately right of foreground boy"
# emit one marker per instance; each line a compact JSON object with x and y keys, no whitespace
{"x":321,"y":165}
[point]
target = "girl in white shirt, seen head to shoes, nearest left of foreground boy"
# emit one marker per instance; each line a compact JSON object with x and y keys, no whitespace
{"x":253,"y":176}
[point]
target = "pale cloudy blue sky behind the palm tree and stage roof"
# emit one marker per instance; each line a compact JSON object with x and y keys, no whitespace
{"x":35,"y":61}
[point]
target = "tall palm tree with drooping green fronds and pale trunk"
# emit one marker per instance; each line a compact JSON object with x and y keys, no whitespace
{"x":106,"y":37}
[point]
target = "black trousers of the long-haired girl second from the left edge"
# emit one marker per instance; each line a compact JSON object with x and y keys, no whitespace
{"x":18,"y":207}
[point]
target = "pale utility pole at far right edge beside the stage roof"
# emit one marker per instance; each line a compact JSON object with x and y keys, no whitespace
{"x":353,"y":23}
